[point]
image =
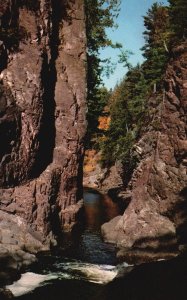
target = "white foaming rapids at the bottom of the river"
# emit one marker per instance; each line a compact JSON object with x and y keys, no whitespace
{"x":100,"y":274}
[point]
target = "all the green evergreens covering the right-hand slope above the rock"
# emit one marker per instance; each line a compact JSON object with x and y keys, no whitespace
{"x":129,"y":110}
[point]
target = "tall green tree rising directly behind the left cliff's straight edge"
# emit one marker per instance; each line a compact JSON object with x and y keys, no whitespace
{"x":100,"y":15}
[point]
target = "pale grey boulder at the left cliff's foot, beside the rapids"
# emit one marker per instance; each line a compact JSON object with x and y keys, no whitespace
{"x":18,"y":246}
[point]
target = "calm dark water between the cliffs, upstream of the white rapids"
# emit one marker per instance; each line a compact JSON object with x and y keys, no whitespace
{"x":88,"y":245}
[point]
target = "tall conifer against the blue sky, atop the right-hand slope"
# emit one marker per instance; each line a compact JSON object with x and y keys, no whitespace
{"x":156,"y":48}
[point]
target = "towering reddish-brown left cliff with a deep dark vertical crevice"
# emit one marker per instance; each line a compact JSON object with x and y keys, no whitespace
{"x":42,"y":115}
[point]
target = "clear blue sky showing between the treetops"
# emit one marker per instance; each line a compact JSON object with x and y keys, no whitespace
{"x":129,"y":34}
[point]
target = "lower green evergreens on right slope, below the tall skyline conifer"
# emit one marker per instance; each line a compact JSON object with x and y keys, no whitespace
{"x":128,"y":113}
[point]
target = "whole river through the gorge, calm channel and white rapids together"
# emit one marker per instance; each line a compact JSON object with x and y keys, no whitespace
{"x":84,"y":265}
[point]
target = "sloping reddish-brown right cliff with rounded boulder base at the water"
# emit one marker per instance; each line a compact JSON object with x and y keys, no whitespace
{"x":155,"y":222}
